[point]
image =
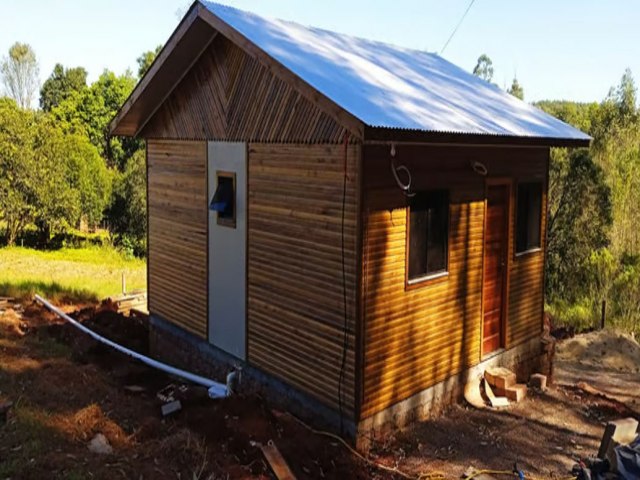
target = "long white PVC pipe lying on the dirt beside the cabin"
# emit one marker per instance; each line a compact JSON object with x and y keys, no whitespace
{"x":216,"y":390}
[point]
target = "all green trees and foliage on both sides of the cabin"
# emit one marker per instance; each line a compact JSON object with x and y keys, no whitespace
{"x":62,"y":173}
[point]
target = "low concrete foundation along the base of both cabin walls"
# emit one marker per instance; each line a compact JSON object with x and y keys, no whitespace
{"x":180,"y":348}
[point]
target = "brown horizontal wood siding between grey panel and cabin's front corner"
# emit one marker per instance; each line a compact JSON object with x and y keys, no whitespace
{"x":295,"y":287}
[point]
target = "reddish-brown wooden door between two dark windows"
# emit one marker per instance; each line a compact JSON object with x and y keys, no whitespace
{"x":496,"y":245}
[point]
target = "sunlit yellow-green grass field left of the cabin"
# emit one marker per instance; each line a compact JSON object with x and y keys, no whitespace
{"x":69,"y":274}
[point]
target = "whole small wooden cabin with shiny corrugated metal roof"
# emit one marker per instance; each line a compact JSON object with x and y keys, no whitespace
{"x":361,"y":224}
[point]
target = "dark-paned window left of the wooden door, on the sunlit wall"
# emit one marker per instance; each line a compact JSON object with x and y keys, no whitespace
{"x":428,"y":234}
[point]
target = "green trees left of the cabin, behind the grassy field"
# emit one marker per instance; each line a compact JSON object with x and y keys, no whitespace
{"x":58,"y":165}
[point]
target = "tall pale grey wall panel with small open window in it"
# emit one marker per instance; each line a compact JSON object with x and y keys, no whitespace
{"x":227,"y":246}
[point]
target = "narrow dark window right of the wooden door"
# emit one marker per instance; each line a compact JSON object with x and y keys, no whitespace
{"x":528,"y":216}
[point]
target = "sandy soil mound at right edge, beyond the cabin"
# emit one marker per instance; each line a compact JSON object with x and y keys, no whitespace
{"x":602,"y":348}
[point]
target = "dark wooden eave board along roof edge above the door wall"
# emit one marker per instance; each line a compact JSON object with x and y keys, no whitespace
{"x":383,"y":134}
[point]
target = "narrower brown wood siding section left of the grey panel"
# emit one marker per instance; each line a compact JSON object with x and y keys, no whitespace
{"x":178,"y":233}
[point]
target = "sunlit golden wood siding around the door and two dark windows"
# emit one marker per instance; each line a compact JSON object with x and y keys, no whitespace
{"x":417,"y":336}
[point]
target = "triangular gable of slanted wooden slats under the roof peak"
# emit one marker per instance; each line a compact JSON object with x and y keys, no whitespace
{"x":229,"y":95}
